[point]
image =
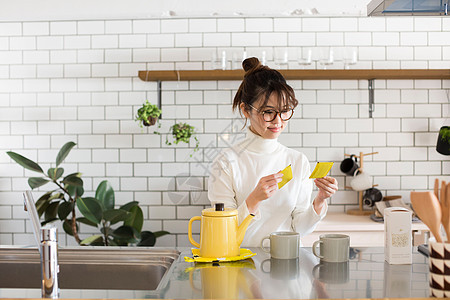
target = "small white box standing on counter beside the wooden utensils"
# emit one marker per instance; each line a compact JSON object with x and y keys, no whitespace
{"x":397,"y":235}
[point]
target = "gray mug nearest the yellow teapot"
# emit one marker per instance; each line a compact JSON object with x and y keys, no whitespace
{"x":283,"y":244}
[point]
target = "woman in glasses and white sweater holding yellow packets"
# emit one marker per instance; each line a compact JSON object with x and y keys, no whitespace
{"x":246,"y":176}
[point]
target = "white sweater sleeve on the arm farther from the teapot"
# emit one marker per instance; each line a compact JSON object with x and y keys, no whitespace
{"x":304,"y":216}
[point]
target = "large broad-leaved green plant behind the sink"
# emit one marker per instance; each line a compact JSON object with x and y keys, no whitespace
{"x":60,"y":203}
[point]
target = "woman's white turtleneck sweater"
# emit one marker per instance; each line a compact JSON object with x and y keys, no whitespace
{"x":236,"y":172}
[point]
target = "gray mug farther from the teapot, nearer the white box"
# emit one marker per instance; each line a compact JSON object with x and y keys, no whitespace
{"x":333,"y":247}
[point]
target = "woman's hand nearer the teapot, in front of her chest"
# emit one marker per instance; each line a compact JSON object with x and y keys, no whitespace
{"x":265,"y":188}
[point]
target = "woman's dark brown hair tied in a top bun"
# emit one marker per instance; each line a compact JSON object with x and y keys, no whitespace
{"x":259,"y":83}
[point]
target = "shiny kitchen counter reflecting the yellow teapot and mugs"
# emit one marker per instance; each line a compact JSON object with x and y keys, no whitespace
{"x":366,"y":275}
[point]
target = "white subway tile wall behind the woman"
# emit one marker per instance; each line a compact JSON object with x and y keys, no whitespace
{"x":77,"y":81}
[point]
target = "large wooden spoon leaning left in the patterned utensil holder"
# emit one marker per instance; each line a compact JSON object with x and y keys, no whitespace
{"x":427,"y":207}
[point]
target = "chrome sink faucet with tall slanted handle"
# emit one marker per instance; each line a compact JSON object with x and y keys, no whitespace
{"x":47,"y":240}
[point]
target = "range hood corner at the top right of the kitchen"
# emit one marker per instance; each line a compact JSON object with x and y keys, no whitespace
{"x":408,"y":8}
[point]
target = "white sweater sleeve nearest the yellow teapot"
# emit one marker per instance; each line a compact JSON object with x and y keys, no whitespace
{"x":221,"y":187}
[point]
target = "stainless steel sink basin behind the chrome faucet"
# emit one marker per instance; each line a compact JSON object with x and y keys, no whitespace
{"x":105,"y":268}
